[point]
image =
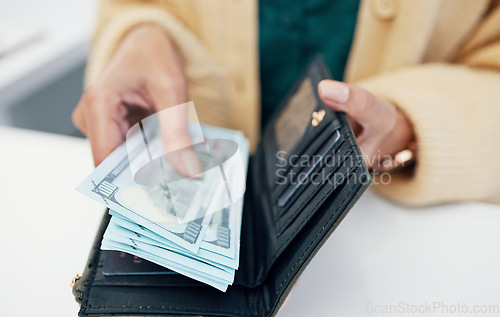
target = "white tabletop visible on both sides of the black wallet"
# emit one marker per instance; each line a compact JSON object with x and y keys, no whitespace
{"x":381,"y":254}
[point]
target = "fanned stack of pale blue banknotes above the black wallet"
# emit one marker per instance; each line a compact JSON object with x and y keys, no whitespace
{"x":190,"y":225}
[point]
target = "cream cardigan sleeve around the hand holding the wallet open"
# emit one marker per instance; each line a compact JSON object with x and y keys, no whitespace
{"x":455,"y":112}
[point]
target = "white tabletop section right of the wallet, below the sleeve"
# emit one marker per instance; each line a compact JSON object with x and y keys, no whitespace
{"x":422,"y":260}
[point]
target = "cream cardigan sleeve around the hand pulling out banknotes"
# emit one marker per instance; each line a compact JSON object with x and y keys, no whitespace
{"x":177,"y":18}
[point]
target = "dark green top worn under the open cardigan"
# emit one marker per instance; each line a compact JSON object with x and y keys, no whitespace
{"x":292,"y":33}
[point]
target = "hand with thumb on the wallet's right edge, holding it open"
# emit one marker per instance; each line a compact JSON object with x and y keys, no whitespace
{"x":381,"y":129}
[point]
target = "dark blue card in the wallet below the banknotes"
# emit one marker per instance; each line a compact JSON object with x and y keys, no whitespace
{"x":121,"y":263}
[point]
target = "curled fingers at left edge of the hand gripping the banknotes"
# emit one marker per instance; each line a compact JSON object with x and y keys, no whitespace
{"x":96,"y":117}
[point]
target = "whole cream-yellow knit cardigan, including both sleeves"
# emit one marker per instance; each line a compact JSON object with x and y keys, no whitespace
{"x":438,"y":60}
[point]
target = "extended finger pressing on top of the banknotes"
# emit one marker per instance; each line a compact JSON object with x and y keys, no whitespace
{"x":173,"y":113}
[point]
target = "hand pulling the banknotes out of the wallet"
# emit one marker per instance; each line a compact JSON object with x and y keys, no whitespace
{"x":144,"y":76}
